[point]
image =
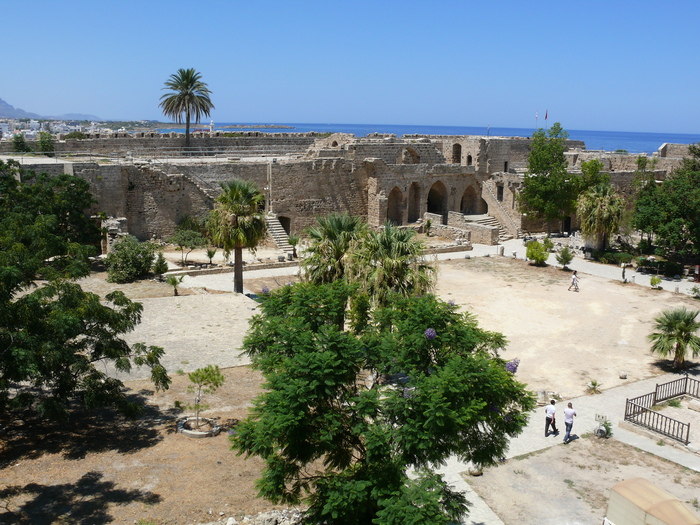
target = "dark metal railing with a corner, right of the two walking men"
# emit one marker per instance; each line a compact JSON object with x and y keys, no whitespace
{"x":639,"y":411}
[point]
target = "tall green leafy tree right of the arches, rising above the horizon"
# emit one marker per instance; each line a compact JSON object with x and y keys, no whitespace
{"x":549,"y":192}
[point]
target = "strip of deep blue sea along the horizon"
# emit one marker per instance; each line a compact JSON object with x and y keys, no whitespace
{"x":631,"y":142}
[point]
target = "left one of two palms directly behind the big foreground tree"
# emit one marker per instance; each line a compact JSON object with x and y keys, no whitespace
{"x":330,"y":241}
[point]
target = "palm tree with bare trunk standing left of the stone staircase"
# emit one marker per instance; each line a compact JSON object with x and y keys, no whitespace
{"x":237,"y":222}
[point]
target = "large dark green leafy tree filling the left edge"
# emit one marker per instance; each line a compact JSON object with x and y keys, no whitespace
{"x":55,"y":339}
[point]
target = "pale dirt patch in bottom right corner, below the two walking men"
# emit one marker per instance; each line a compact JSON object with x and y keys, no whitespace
{"x":571,"y":483}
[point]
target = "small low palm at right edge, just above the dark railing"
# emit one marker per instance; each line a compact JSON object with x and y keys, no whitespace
{"x":675,"y":334}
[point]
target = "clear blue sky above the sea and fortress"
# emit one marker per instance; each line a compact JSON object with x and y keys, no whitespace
{"x":594,"y":65}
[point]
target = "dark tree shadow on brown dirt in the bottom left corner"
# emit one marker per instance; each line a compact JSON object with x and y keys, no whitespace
{"x":84,"y":502}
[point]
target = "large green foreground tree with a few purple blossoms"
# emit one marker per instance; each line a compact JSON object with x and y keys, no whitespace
{"x":343,"y":443}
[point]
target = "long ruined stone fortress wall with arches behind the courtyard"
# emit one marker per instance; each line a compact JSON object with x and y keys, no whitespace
{"x":453,"y":180}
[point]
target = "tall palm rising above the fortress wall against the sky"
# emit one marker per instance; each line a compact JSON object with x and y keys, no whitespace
{"x":188,"y":96}
